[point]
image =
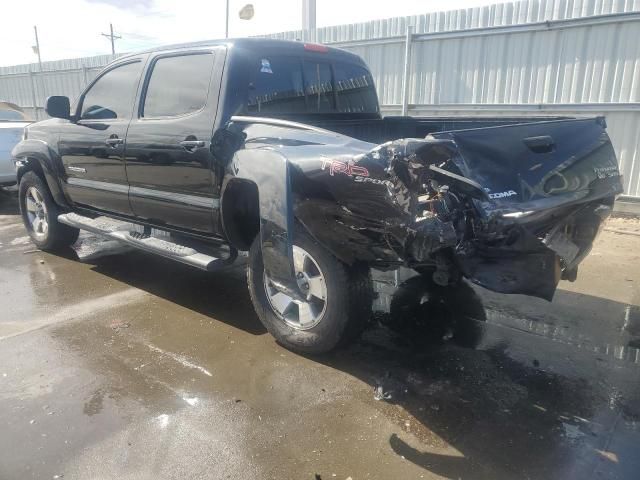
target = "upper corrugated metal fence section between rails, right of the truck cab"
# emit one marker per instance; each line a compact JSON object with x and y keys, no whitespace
{"x":585,"y":64}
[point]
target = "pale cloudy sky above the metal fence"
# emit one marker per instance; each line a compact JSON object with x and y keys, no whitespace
{"x":72,"y":28}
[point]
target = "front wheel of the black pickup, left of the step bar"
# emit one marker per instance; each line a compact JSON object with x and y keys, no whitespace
{"x":40,"y":215}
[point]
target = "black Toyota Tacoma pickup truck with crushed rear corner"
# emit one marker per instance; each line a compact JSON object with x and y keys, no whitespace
{"x":277,"y":148}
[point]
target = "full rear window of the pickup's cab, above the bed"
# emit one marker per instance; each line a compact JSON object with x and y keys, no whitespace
{"x":291,"y":84}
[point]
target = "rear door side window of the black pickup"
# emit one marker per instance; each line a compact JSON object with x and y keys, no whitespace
{"x":178,"y":85}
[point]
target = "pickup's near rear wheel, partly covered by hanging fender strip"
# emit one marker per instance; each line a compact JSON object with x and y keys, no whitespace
{"x":338,"y":304}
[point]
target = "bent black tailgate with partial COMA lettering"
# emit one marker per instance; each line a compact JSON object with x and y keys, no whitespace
{"x":539,"y":165}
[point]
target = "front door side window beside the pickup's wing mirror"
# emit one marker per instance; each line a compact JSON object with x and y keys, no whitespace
{"x":113,"y":94}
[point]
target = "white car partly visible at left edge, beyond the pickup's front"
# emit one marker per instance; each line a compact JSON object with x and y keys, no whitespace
{"x":12,"y":123}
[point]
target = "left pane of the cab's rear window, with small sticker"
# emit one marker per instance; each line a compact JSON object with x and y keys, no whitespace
{"x":276,"y":86}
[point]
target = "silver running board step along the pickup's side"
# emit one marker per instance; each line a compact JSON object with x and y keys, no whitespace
{"x":132,"y":234}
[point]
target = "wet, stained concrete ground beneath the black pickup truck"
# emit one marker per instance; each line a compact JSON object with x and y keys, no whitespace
{"x":130,"y":366}
